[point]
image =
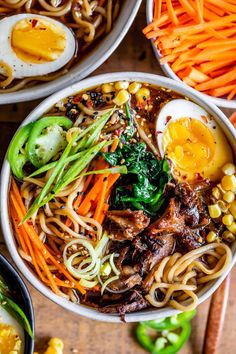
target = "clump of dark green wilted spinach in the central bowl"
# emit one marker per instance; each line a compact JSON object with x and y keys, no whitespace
{"x":143,"y":186}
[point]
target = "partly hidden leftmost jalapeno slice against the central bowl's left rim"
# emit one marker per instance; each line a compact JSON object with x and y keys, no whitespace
{"x":17,"y":155}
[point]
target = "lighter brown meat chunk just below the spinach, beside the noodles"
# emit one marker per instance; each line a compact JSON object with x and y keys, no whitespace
{"x":126,"y":224}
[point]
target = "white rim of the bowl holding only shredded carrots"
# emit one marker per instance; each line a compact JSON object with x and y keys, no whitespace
{"x":221,"y":102}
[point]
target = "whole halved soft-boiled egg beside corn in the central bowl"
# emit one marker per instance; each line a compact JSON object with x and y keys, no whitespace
{"x":191,"y":139}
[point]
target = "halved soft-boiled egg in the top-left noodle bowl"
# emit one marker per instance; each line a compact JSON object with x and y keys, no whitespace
{"x":33,"y":45}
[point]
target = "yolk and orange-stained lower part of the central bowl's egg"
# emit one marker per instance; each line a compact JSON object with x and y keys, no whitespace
{"x":196,"y":150}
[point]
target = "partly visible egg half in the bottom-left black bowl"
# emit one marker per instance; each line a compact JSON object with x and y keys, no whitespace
{"x":11,"y":334}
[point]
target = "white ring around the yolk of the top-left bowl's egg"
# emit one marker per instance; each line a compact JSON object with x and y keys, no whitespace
{"x":22,"y":69}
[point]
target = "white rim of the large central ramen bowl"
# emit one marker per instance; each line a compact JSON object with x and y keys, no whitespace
{"x":37,"y":113}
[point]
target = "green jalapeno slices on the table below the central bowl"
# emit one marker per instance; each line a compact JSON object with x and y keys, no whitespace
{"x":165,"y":336}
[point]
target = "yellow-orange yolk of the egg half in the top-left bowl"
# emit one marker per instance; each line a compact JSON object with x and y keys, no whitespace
{"x":37,"y":40}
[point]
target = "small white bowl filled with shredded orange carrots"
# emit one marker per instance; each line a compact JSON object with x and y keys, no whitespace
{"x":195,"y":42}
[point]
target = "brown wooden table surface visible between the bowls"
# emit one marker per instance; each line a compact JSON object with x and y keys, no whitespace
{"x":81,"y":335}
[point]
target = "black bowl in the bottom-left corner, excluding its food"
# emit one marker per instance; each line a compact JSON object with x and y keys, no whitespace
{"x":21,"y":296}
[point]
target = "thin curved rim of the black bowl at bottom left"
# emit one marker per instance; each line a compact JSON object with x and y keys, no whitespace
{"x":26,"y":299}
